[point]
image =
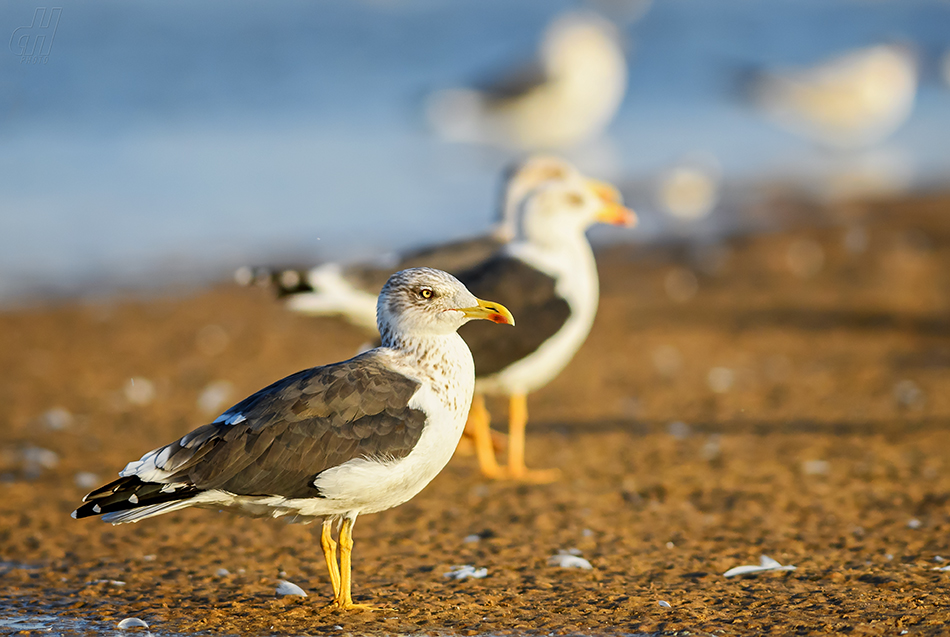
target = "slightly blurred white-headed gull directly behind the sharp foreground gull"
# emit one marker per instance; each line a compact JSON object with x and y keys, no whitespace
{"x":550,"y":275}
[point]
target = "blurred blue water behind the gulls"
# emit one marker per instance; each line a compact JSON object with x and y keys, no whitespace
{"x":174,"y":140}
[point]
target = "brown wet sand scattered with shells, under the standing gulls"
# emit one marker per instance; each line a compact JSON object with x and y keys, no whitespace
{"x":786,"y":395}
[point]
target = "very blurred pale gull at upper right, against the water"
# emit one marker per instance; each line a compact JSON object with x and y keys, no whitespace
{"x":854,"y":100}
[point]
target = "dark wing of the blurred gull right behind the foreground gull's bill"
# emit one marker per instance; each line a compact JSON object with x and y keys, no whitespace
{"x":533,"y":300}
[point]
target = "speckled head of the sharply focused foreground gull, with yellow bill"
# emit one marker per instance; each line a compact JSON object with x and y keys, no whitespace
{"x":425,"y":301}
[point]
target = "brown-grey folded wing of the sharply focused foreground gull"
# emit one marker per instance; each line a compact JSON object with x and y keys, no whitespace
{"x":301,"y":426}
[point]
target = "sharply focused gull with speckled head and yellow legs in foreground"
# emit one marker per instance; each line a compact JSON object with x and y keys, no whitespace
{"x":330,"y":442}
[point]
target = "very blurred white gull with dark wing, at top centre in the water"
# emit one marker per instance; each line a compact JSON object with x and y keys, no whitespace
{"x":569,"y":98}
